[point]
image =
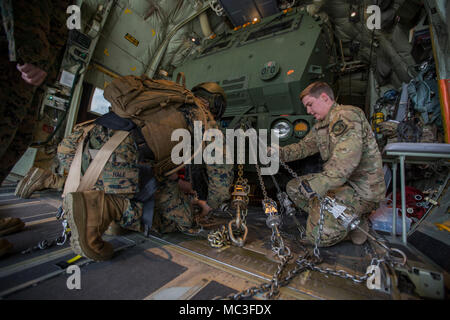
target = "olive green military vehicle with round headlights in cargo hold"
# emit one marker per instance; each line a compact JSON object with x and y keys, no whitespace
{"x":263,"y":66}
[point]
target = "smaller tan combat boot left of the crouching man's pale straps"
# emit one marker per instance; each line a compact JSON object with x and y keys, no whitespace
{"x":38,"y":179}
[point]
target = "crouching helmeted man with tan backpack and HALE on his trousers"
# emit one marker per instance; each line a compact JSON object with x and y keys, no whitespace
{"x":135,"y":188}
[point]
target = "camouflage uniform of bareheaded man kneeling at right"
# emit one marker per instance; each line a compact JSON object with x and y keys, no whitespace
{"x":352,"y":171}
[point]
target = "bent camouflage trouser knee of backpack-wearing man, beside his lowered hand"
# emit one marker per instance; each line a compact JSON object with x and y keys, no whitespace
{"x":173,"y":211}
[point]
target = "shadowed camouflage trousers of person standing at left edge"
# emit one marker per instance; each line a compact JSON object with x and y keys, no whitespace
{"x":18,"y":113}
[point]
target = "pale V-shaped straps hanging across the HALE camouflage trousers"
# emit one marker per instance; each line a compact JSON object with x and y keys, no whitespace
{"x":89,"y":179}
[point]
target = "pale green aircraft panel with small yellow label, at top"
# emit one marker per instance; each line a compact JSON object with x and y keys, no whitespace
{"x":135,"y":30}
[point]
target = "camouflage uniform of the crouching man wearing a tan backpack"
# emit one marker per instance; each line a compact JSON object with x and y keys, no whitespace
{"x":173,"y":210}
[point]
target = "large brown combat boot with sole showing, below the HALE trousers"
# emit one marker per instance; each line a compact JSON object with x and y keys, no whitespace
{"x":89,"y":214}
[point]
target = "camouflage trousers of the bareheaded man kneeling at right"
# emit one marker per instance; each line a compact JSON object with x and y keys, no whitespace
{"x":333,"y":232}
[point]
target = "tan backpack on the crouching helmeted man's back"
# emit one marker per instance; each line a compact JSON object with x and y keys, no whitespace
{"x":153,"y":105}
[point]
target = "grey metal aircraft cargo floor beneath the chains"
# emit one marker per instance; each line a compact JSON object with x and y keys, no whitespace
{"x":172,"y":266}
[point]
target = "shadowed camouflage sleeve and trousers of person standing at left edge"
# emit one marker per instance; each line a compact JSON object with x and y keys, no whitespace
{"x":40,"y":32}
